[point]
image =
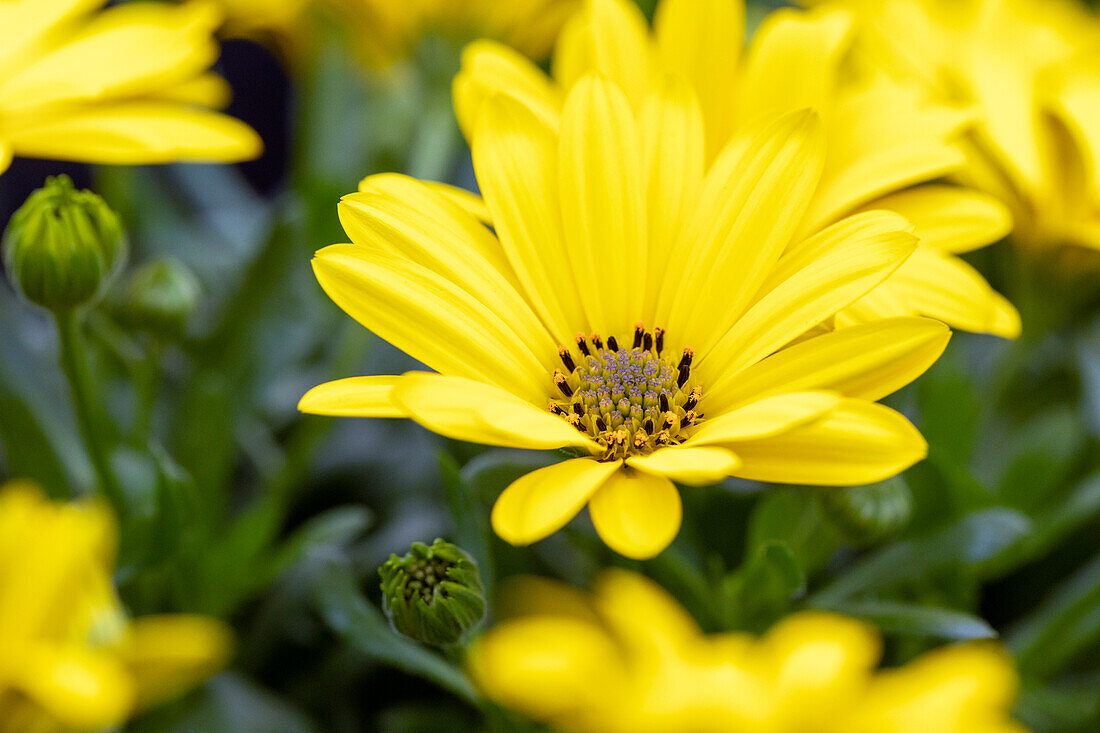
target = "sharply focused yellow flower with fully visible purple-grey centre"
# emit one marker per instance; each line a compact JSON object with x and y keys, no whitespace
{"x":634,"y":309}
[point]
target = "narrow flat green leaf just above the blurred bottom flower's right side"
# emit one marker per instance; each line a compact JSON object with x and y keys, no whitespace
{"x":907,"y":619}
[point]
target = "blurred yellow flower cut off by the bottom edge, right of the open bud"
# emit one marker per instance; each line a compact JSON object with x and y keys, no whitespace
{"x":630,"y":660}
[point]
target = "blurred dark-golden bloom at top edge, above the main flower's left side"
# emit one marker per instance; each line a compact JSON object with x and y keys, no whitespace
{"x":390,"y":31}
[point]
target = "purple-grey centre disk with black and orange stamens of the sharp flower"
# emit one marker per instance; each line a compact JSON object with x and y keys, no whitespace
{"x":630,"y":401}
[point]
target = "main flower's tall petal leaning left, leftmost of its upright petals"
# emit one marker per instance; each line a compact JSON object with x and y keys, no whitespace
{"x":516,"y":161}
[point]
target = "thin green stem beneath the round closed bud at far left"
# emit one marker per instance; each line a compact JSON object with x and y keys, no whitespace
{"x":89,"y":412}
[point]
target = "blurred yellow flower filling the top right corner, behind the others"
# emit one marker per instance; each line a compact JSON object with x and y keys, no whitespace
{"x":1029,"y":69}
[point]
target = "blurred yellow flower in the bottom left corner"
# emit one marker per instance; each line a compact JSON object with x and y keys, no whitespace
{"x":70,"y":658}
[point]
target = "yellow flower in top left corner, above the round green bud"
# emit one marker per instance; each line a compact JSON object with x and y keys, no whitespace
{"x":127,"y":85}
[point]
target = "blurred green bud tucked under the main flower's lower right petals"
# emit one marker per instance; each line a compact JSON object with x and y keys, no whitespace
{"x":871,"y":515}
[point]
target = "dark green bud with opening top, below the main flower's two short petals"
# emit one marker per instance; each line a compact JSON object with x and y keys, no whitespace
{"x":434,"y":595}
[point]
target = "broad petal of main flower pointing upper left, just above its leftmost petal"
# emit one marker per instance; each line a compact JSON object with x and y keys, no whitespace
{"x":430,"y":319}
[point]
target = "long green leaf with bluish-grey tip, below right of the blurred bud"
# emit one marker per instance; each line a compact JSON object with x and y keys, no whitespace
{"x":970,"y":543}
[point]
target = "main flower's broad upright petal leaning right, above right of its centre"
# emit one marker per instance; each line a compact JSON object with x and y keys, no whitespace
{"x":750,"y":206}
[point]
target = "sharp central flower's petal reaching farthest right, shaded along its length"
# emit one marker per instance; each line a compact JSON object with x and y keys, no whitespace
{"x":867,"y":362}
